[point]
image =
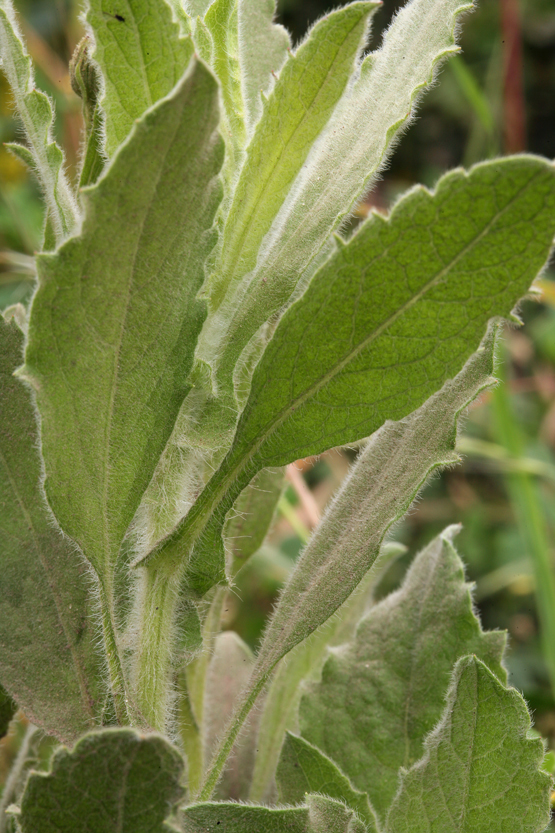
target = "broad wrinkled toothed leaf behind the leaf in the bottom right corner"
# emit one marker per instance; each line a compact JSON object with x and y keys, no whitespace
{"x":383,"y":693}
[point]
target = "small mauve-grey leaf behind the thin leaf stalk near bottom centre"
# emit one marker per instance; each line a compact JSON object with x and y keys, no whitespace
{"x":228,"y":673}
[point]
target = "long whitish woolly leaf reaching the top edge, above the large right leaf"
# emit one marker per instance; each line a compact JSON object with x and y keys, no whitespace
{"x":336,"y":173}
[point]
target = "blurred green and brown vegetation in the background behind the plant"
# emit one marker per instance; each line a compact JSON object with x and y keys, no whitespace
{"x":497,"y":97}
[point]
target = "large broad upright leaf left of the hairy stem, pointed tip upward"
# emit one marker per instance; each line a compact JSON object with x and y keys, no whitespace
{"x":115,"y":319}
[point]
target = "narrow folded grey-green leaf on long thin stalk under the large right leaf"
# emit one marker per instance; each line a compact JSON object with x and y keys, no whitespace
{"x":346,"y":544}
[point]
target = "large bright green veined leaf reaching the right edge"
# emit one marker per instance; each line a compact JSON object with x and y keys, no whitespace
{"x":403,"y":304}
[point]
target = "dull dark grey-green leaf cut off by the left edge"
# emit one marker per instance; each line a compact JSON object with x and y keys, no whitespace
{"x":48,"y":660}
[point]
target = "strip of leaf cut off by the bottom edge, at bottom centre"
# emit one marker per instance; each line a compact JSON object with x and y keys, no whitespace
{"x":224,"y":817}
